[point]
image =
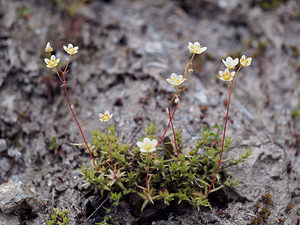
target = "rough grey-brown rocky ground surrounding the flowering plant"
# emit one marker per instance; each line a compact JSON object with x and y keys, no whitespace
{"x":127,"y":50}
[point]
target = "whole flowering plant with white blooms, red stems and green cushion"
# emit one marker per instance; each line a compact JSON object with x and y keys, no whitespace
{"x":157,"y":169}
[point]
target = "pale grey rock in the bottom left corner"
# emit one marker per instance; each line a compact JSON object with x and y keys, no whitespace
{"x":15,"y":196}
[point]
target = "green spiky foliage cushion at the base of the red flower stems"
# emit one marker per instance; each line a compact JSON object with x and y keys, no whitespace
{"x":186,"y":179}
